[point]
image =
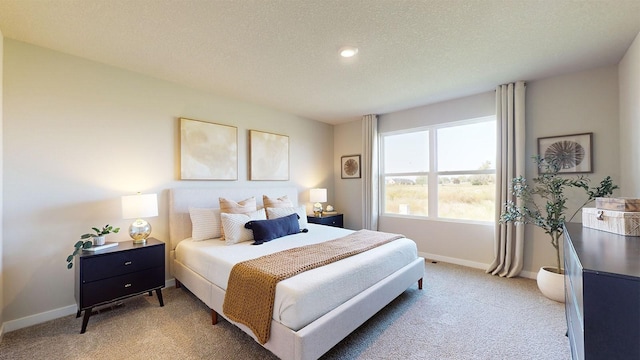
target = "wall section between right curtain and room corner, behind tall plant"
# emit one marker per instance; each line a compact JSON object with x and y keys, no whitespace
{"x":574,"y":103}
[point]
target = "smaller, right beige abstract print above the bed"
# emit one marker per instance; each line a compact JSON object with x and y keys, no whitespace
{"x":269,"y":156}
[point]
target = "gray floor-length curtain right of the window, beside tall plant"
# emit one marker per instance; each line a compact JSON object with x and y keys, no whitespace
{"x":509,"y":238}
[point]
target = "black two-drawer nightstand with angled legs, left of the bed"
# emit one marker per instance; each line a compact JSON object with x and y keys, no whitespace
{"x":117,"y":273}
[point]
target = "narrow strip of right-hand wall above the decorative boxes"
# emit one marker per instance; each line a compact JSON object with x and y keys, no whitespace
{"x":629,"y":83}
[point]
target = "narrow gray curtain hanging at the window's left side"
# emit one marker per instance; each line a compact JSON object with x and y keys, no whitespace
{"x":370,"y":173}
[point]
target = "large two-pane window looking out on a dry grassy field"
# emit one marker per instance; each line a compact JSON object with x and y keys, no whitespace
{"x":455,"y":163}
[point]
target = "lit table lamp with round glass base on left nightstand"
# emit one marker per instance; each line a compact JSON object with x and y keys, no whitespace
{"x":137,"y":207}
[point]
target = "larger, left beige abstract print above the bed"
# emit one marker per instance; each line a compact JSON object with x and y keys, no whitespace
{"x":208,"y":151}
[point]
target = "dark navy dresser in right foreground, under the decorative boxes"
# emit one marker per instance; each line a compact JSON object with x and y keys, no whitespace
{"x":602,"y":291}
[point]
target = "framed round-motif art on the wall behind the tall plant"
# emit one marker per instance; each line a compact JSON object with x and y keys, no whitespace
{"x":573,"y":153}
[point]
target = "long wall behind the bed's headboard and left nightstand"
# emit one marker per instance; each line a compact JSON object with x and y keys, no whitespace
{"x":79,"y":134}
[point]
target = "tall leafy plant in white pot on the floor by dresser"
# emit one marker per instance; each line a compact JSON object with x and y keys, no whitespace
{"x":549,"y":214}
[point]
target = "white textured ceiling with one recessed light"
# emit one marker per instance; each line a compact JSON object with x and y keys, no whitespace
{"x":284,"y":53}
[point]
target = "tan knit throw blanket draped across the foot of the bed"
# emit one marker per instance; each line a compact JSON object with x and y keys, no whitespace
{"x":252,"y":284}
